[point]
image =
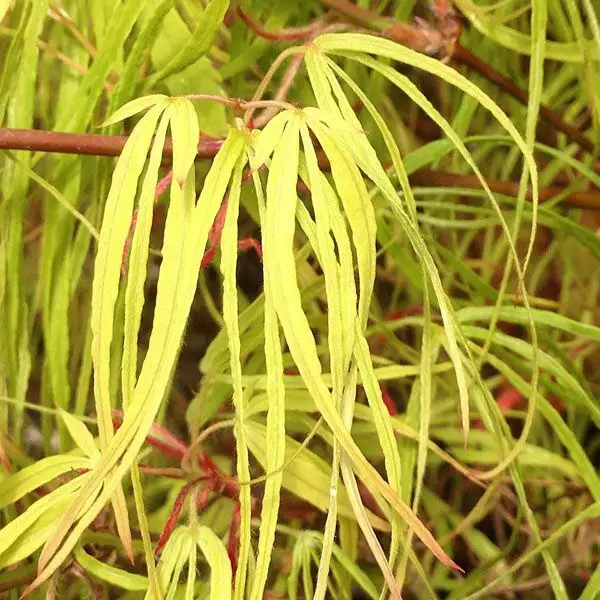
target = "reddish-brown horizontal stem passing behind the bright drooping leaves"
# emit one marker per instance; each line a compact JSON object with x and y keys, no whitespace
{"x":112,"y":145}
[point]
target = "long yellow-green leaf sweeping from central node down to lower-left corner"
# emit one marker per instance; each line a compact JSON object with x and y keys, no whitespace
{"x":176,"y":287}
